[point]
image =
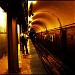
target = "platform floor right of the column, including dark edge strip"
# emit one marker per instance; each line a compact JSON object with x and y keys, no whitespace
{"x":31,"y":63}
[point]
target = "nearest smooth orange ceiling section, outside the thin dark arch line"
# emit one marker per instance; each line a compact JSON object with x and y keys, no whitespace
{"x":59,"y":8}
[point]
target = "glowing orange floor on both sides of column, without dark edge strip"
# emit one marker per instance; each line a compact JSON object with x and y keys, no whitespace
{"x":24,"y":62}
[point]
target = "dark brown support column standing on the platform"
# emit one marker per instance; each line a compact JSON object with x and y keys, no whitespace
{"x":13,"y":66}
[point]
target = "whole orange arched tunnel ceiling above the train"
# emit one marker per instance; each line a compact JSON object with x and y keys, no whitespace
{"x":47,"y":13}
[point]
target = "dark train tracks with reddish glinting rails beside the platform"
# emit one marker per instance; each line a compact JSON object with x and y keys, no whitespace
{"x":51,"y":63}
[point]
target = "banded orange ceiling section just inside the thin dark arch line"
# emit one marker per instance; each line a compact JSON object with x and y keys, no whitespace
{"x":46,"y":19}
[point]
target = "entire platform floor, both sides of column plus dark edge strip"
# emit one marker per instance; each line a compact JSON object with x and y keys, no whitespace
{"x":28,"y":64}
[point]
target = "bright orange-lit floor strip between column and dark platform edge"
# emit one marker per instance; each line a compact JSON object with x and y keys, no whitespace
{"x":24,"y":61}
